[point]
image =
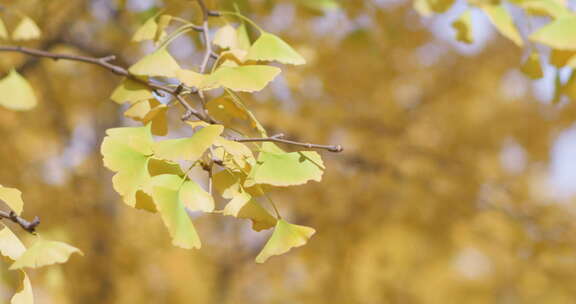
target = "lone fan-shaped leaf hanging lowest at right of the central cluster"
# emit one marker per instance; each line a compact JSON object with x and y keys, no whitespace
{"x":285,"y":237}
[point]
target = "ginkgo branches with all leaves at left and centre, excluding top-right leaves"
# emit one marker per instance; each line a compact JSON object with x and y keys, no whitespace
{"x":242,"y":162}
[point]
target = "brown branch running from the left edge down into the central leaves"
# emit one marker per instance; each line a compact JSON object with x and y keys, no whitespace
{"x":104,"y":62}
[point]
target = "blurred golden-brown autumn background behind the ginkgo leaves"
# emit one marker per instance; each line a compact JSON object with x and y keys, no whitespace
{"x":456,"y":184}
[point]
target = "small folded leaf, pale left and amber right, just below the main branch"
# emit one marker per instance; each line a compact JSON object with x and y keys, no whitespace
{"x":150,"y":111}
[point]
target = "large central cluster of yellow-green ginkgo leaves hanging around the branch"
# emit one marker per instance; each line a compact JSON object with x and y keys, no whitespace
{"x":148,"y":174}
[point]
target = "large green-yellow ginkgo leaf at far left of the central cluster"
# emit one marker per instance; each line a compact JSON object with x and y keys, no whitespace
{"x":126,"y":151}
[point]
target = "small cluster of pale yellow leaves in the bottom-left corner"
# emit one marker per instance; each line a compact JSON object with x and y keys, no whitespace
{"x":41,"y":253}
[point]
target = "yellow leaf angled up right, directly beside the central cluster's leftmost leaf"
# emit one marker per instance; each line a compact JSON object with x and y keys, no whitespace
{"x":190,"y":148}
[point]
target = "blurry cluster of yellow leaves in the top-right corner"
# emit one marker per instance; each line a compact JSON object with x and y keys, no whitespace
{"x":553,"y":43}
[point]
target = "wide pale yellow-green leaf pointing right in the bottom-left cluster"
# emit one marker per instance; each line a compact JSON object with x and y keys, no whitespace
{"x":44,"y":252}
